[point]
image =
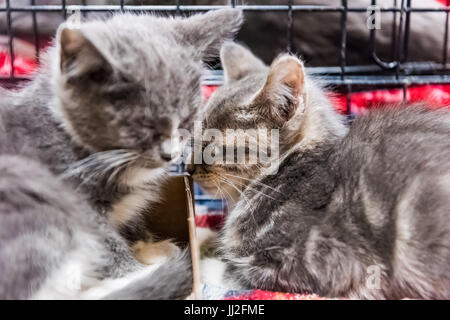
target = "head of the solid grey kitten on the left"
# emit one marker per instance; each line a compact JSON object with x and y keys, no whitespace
{"x":131,"y":81}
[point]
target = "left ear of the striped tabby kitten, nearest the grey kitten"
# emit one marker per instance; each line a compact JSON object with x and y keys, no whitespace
{"x":237,"y":61}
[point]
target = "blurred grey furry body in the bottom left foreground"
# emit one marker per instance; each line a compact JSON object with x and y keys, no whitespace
{"x":47,"y":228}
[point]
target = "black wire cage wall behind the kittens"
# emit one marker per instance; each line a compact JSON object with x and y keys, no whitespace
{"x":345,"y":78}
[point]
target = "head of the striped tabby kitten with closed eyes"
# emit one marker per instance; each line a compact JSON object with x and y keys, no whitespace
{"x":253,"y":97}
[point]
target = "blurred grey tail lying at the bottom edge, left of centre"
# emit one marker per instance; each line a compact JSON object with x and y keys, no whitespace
{"x":171,"y":281}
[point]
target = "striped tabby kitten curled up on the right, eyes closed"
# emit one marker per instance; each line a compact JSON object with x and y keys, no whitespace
{"x":359,"y":213}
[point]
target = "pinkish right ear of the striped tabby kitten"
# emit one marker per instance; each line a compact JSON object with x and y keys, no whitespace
{"x":284,"y":89}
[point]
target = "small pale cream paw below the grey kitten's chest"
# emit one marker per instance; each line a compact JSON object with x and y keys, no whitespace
{"x":155,"y":252}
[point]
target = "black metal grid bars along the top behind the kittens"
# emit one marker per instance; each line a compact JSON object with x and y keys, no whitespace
{"x":396,"y":73}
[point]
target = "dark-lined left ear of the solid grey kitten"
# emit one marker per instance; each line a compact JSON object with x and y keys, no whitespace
{"x":78,"y":56}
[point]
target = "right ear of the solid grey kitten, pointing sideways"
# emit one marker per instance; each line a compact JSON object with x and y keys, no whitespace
{"x":206,"y":32}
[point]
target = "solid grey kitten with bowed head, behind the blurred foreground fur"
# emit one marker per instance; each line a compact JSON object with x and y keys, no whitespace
{"x":103,"y":109}
